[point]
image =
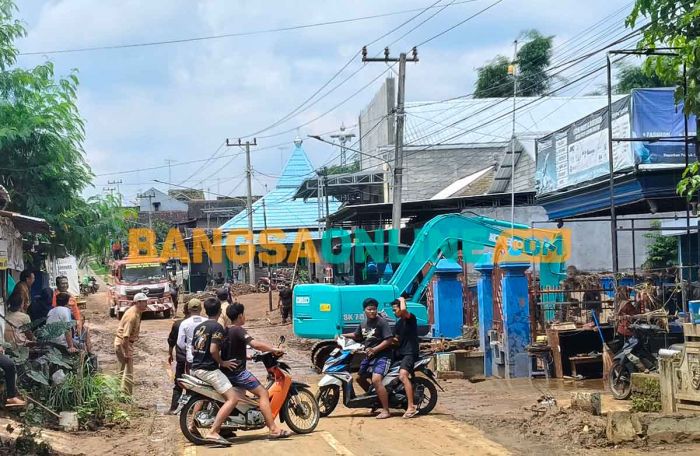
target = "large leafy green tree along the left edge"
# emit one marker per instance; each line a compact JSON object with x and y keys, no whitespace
{"x":41,"y":144}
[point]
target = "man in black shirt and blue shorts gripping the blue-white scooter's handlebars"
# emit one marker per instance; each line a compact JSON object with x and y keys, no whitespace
{"x":375,"y":334}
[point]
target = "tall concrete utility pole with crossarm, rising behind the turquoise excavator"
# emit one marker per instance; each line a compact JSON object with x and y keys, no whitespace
{"x":398,"y":143}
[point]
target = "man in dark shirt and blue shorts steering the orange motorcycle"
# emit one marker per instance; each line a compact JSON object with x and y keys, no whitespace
{"x":235,"y":343}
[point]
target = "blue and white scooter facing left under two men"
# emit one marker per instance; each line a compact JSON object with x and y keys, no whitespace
{"x":338,"y":377}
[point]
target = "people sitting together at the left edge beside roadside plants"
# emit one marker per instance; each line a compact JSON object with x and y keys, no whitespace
{"x":52,"y":305}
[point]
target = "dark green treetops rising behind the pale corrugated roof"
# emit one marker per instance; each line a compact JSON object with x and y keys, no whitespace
{"x":533,"y":58}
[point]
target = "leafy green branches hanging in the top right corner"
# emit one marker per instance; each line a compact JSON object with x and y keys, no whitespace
{"x":674,"y":24}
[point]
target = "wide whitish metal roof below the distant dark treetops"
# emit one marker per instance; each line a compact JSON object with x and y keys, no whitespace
{"x":489,"y":120}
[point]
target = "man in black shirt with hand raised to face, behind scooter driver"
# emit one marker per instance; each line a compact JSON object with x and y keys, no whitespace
{"x":406,"y":334}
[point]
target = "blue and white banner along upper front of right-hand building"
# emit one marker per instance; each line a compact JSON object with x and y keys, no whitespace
{"x":578,"y":153}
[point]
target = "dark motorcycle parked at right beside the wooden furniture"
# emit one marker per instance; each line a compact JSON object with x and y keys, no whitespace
{"x":639,"y":353}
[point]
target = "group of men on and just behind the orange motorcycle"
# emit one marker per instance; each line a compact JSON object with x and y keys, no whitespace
{"x":213,"y":348}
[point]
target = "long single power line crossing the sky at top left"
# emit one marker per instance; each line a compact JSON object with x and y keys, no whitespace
{"x":229,"y":35}
